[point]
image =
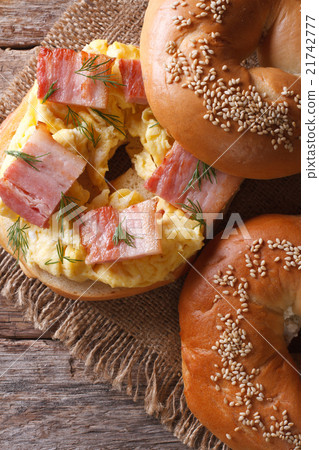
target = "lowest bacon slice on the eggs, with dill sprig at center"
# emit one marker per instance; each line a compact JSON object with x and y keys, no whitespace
{"x":100,"y":225}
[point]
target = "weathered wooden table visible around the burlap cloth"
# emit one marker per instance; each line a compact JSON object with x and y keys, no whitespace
{"x":48,"y":400}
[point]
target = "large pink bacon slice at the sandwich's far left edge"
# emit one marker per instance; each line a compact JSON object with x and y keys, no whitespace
{"x":35,"y":194}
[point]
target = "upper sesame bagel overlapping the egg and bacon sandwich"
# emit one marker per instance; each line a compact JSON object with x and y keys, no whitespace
{"x":245,"y":122}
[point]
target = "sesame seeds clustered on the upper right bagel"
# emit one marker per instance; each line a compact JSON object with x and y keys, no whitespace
{"x":262,"y":117}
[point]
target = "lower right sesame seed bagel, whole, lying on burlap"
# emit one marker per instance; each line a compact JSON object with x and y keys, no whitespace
{"x":240,"y":380}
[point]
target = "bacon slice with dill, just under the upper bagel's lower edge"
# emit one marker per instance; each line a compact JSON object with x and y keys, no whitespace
{"x":172,"y":176}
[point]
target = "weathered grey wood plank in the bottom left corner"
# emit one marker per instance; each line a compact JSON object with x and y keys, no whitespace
{"x":49,"y":401}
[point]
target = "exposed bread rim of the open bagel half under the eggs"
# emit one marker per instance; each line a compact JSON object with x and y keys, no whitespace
{"x":88,"y":290}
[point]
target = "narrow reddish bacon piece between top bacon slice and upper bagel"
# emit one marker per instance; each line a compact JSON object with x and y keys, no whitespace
{"x":131,"y":72}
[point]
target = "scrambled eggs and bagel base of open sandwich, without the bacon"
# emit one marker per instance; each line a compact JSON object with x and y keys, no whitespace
{"x":146,"y":147}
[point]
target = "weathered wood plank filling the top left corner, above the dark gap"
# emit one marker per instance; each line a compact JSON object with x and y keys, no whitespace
{"x":24,"y":24}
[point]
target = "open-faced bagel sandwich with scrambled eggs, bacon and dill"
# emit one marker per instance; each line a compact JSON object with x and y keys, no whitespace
{"x":97,"y":199}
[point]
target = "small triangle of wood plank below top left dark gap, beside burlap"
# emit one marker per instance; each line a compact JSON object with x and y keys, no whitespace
{"x":11,"y":62}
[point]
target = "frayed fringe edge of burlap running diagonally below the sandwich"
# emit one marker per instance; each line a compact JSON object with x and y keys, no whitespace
{"x":113,"y":354}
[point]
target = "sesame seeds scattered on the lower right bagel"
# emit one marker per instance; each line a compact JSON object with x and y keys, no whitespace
{"x":233,"y":343}
